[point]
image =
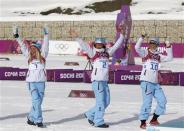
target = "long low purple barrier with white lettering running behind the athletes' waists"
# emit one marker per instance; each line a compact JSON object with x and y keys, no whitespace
{"x":70,"y":75}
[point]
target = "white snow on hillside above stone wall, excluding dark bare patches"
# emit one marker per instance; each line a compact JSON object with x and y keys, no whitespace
{"x":141,"y":9}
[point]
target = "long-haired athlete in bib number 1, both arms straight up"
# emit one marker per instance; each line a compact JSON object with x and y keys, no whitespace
{"x":36,"y":76}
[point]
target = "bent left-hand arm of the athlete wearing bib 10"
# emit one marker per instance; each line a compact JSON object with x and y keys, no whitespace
{"x":138,"y":49}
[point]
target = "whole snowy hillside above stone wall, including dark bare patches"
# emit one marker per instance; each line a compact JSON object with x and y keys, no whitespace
{"x":85,"y":9}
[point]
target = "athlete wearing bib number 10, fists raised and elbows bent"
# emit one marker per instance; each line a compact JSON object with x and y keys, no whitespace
{"x":149,"y":79}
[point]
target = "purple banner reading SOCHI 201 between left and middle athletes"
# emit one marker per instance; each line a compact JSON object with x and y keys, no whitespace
{"x":63,"y":75}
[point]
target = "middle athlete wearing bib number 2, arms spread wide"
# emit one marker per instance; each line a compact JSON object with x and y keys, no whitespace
{"x":99,"y":78}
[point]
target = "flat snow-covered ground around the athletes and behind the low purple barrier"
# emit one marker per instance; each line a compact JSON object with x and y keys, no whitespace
{"x":62,"y":113}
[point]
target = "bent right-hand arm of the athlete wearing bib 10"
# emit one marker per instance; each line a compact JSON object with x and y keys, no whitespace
{"x":169,"y":56}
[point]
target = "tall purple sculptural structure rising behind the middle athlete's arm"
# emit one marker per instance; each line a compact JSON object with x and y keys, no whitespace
{"x":124,"y":18}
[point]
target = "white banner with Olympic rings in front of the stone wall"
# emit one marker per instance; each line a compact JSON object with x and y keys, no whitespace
{"x":63,"y":47}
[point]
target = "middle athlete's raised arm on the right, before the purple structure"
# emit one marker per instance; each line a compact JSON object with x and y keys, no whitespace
{"x":116,"y":45}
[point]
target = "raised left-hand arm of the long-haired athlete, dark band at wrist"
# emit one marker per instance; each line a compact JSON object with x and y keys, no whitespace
{"x":22,"y":45}
